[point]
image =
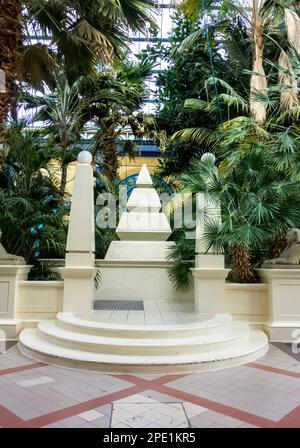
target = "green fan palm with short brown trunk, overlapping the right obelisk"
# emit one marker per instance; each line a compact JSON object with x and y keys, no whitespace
{"x":256,"y":205}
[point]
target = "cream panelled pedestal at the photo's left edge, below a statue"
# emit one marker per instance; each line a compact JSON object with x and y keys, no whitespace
{"x":9,"y":296}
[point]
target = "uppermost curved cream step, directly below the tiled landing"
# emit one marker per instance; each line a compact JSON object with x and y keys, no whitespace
{"x":204,"y":326}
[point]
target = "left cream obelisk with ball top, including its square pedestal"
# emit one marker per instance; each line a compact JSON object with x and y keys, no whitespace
{"x":79,"y":270}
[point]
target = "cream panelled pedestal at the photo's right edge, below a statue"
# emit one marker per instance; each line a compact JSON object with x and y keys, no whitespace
{"x":284,"y":303}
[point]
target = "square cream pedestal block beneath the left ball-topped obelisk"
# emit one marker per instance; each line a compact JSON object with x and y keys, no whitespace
{"x":78,"y":289}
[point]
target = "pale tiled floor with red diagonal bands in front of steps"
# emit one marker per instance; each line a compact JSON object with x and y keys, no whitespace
{"x":261,"y":394}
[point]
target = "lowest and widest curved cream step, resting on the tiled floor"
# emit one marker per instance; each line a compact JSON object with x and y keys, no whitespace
{"x":32,"y":345}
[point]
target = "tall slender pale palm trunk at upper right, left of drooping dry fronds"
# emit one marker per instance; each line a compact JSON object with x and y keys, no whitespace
{"x":258,"y":79}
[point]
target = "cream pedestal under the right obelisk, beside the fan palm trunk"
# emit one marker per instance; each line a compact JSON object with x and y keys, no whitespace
{"x":210,"y":290}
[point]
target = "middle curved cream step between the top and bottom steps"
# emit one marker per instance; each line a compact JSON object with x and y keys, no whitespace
{"x":238,"y":332}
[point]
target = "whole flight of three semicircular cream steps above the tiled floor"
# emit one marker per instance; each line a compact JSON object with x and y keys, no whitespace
{"x":209,"y":344}
